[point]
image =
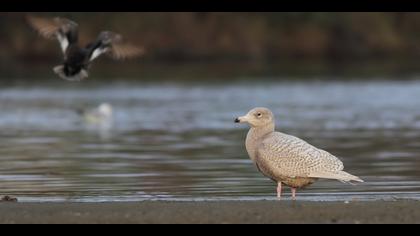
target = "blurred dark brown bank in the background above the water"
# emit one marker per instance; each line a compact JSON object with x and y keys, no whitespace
{"x":326,"y":40}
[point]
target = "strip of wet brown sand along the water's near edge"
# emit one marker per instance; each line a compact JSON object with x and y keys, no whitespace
{"x":213,"y":212}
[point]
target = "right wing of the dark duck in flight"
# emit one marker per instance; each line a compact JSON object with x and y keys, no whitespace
{"x":112,"y":44}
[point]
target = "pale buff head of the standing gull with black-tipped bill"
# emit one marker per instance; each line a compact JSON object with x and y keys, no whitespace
{"x":257,"y":117}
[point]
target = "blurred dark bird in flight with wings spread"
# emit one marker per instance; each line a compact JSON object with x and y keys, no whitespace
{"x":77,"y":59}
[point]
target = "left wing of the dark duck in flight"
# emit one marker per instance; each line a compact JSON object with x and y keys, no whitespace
{"x":64,"y":30}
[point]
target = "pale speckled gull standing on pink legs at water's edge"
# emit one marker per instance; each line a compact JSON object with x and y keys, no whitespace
{"x":287,"y":159}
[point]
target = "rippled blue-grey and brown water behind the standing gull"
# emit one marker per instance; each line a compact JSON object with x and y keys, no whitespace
{"x":177,"y":141}
